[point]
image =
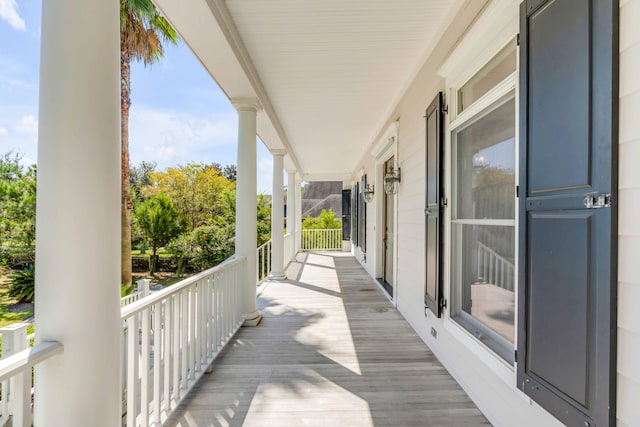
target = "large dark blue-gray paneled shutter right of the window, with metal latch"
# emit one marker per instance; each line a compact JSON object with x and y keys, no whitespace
{"x":567,"y":209}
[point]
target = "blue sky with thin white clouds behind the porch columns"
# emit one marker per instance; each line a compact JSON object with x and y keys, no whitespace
{"x":178,"y":113}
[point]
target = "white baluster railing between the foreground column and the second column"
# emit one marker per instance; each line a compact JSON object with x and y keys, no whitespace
{"x":171,"y":337}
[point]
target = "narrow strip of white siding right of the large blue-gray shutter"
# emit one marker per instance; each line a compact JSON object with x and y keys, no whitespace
{"x":629,"y":209}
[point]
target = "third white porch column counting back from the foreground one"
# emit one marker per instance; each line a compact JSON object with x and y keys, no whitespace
{"x":277,"y":217}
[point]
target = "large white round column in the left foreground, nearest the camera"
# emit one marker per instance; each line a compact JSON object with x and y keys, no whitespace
{"x":78,"y":214}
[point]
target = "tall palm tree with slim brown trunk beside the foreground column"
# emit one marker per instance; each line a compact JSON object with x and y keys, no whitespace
{"x":142,"y":32}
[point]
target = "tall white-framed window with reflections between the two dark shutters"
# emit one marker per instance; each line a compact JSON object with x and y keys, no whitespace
{"x":483,"y":179}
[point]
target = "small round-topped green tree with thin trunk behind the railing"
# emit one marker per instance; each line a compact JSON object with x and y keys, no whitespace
{"x":158,"y":220}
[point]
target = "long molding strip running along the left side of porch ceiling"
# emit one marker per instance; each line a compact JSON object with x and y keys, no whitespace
{"x":230,"y":31}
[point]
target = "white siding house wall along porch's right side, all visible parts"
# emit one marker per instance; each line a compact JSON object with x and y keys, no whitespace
{"x":488,"y":380}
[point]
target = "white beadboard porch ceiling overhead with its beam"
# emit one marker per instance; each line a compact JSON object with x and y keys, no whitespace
{"x":329,"y":73}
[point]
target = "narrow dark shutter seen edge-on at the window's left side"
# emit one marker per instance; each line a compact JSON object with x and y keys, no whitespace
{"x":434,"y":206}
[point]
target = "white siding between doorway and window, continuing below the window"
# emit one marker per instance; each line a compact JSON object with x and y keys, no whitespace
{"x":484,"y":377}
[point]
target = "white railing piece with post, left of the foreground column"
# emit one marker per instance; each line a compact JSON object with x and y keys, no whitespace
{"x":18,"y":360}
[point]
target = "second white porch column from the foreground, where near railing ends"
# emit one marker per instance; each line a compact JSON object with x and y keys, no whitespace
{"x":246,"y":209}
